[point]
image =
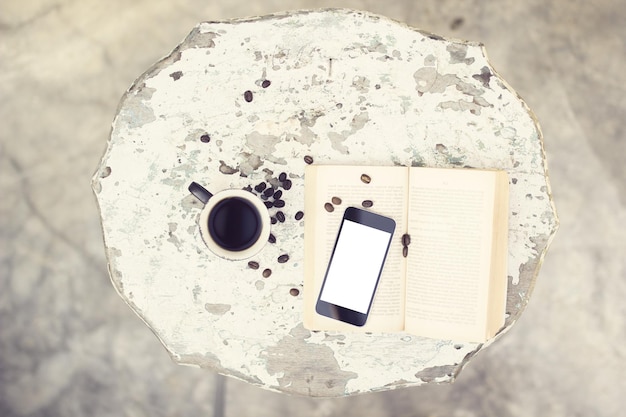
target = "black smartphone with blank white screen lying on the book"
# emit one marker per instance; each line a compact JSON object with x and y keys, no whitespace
{"x":355,"y":266}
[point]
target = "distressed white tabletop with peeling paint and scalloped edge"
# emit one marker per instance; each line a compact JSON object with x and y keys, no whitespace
{"x":239,"y":102}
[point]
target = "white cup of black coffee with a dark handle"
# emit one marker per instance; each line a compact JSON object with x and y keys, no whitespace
{"x":234,"y":224}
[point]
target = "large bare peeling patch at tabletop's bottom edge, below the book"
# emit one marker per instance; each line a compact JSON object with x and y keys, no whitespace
{"x":316,"y":374}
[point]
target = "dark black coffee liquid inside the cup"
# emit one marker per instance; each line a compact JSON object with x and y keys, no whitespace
{"x":234,"y":224}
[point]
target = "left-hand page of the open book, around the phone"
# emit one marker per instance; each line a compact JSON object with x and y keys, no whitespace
{"x":388,"y":192}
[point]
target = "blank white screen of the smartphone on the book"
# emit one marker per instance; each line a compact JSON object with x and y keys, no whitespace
{"x":355,"y":266}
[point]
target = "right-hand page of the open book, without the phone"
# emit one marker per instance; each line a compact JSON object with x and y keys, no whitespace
{"x":451,"y":226}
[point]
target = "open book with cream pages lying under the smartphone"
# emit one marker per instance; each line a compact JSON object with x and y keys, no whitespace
{"x":452,"y":282}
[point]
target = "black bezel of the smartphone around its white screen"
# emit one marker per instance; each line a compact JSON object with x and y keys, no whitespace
{"x":369,"y":219}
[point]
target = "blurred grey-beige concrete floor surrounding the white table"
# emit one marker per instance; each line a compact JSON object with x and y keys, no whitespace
{"x":69,"y":345}
